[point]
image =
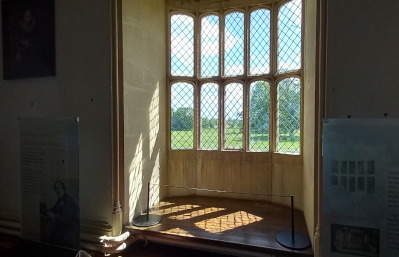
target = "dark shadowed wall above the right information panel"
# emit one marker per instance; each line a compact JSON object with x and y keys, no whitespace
{"x":362,"y":59}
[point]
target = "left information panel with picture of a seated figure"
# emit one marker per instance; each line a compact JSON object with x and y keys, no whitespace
{"x":49,"y":170}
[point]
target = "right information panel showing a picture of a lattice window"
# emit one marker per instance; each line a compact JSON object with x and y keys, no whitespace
{"x":360,"y":188}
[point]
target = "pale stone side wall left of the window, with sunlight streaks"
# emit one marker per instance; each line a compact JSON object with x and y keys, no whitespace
{"x":144,"y":60}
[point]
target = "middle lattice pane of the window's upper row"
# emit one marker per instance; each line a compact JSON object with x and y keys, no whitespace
{"x":234,"y":44}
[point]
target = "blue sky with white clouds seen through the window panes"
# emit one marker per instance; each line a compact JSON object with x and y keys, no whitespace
{"x":182,"y":48}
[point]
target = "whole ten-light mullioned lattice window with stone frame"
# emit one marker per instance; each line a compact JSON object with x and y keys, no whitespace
{"x":245,"y":69}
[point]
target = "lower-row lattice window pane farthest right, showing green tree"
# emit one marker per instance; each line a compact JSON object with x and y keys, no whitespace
{"x":288,"y":116}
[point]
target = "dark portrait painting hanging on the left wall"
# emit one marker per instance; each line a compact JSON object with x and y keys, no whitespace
{"x":28,"y":39}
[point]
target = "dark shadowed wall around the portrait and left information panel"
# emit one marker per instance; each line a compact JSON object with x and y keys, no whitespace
{"x":81,"y":87}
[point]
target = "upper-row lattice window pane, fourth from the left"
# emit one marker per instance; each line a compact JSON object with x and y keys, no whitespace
{"x":260,"y":42}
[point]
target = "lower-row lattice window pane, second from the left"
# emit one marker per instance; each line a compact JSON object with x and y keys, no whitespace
{"x":210,"y":116}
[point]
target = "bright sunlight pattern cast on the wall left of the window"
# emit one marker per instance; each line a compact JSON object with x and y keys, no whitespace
{"x":145,"y":166}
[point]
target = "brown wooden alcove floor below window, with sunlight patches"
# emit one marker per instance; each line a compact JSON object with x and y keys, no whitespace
{"x":233,"y":226}
